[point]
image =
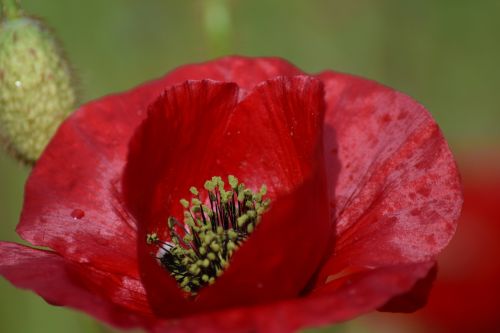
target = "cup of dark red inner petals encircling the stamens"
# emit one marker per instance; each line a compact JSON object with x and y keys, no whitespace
{"x":272,"y":137}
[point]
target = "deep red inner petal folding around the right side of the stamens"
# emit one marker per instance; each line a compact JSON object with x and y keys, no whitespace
{"x":280,"y":126}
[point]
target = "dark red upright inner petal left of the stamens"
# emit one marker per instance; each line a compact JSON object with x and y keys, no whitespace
{"x":188,"y":122}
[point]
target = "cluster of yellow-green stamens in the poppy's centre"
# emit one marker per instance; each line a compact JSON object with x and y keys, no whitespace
{"x":200,"y":248}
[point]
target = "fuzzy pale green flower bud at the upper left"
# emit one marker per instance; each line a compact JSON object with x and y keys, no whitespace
{"x":36,"y":86}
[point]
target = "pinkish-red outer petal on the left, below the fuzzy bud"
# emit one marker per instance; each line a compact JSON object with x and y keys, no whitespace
{"x":73,"y":202}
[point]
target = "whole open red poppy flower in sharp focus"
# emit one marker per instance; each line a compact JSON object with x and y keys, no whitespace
{"x":362,"y":194}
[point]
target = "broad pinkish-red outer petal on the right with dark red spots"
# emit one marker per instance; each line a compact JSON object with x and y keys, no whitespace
{"x":395,"y":189}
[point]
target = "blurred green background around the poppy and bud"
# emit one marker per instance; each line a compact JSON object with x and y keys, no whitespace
{"x":443,"y":53}
